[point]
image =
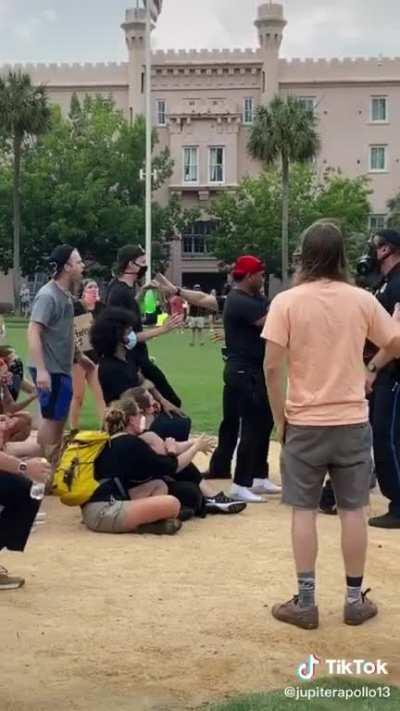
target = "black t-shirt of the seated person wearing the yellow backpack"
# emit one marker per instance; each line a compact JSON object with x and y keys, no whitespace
{"x":133,"y":462}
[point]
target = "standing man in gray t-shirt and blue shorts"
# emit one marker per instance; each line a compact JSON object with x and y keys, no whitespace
{"x":51,"y":343}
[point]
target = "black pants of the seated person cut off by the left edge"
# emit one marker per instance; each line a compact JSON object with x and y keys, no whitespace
{"x":17,"y":511}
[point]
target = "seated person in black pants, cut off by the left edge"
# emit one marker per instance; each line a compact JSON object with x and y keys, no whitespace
{"x":18,"y":509}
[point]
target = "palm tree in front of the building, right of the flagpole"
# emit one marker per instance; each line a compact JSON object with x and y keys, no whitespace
{"x":284,"y":130}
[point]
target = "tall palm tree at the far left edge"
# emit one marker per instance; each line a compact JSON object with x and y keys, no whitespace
{"x":24,"y":115}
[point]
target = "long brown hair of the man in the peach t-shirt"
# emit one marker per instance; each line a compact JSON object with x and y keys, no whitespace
{"x":322,"y":254}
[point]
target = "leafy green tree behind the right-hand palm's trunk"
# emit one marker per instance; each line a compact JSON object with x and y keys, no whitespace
{"x":250,"y":219}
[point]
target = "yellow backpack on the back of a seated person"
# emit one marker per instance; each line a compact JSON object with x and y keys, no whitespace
{"x":74,"y":480}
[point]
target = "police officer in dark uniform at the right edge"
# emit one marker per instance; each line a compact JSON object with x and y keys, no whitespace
{"x":384,"y":375}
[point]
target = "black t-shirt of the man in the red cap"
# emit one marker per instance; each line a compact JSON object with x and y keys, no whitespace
{"x":244,"y":345}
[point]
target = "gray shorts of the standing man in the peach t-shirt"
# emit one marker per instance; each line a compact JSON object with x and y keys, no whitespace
{"x":343,"y":452}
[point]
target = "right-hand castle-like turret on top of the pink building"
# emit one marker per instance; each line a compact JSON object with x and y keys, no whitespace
{"x":270,"y":24}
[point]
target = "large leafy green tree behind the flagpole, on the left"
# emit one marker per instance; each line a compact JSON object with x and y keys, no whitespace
{"x":81,"y":184}
